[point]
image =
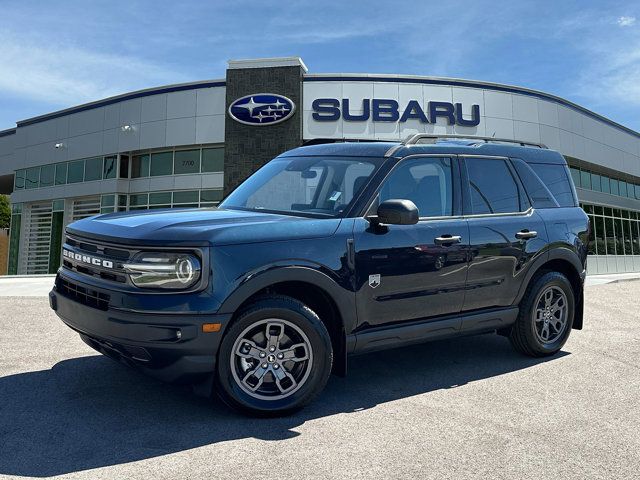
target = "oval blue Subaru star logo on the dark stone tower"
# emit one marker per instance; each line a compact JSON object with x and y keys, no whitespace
{"x":262,"y":109}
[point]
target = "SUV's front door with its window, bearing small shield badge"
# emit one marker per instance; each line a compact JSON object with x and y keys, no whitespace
{"x":409,"y":272}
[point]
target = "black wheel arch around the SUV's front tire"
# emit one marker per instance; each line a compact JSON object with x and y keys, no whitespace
{"x":318,"y":300}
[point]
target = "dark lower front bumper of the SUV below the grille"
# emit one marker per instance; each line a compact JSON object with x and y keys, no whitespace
{"x":170,"y":347}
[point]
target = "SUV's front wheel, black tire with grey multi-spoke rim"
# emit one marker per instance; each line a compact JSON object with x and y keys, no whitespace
{"x":289,"y":339}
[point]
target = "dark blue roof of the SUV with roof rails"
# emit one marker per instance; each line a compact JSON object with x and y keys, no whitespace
{"x":530,"y":154}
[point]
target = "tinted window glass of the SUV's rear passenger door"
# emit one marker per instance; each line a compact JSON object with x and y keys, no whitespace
{"x":492,"y":187}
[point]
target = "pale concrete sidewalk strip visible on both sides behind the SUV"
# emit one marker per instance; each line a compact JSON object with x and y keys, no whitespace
{"x":40,"y":285}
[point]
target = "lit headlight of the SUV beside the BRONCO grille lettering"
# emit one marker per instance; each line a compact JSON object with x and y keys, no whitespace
{"x":164,"y":270}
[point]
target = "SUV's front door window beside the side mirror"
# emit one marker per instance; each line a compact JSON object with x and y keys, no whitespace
{"x":426,"y":182}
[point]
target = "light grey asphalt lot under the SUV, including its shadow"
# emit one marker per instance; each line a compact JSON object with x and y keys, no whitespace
{"x":466,"y":408}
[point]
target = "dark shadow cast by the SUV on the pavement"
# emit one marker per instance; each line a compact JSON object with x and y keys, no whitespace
{"x":91,"y":412}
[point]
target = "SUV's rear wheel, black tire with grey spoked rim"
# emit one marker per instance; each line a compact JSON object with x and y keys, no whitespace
{"x":528,"y":333}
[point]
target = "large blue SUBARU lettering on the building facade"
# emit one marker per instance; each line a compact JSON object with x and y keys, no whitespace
{"x":389,"y":110}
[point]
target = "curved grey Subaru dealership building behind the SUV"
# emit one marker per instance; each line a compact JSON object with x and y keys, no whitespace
{"x":187,"y":145}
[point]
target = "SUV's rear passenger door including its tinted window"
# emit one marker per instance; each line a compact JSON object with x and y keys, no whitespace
{"x":506,"y":233}
